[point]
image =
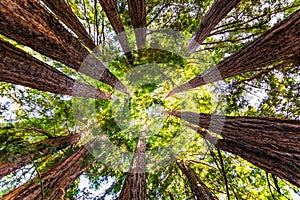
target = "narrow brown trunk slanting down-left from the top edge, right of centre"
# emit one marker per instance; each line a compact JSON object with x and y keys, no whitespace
{"x":215,"y":14}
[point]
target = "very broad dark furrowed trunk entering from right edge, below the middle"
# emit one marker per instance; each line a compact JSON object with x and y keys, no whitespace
{"x":269,"y":143}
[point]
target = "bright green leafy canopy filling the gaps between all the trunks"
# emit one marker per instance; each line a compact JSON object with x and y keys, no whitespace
{"x":122,"y":120}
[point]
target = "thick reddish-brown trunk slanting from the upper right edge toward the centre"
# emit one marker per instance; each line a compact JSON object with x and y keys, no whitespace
{"x":279,"y":43}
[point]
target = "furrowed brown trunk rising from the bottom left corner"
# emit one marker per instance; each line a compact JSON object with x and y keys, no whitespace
{"x":55,"y":180}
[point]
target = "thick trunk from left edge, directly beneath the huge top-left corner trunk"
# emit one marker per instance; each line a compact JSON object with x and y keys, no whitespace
{"x":18,"y":67}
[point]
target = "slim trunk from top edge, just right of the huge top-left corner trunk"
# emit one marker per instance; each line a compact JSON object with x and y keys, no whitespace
{"x":64,"y":13}
